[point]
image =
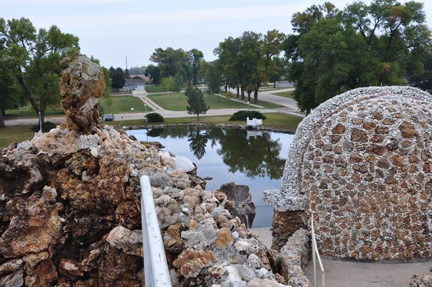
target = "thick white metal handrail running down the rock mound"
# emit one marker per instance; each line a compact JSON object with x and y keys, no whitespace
{"x":155,"y":264}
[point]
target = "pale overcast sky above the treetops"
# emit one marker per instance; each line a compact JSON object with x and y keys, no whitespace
{"x":110,"y":30}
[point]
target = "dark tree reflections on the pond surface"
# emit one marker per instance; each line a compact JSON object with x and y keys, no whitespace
{"x":253,"y":157}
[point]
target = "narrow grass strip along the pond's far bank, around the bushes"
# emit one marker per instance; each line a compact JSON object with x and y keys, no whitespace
{"x":280,"y":121}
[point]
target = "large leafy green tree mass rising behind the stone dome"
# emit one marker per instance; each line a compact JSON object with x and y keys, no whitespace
{"x":363,"y":45}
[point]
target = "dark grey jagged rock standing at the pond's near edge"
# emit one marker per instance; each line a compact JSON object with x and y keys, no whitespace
{"x":243,"y":208}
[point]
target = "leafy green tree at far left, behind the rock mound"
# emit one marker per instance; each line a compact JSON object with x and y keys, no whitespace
{"x":33,"y":58}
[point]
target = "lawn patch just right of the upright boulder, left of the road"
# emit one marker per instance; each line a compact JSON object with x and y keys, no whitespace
{"x":123,"y":104}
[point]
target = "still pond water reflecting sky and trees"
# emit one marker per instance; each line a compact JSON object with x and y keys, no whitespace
{"x":255,"y":159}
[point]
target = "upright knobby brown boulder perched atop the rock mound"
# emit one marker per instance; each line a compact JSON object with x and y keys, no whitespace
{"x":82,"y":84}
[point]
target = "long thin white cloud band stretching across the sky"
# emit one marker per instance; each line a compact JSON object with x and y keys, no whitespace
{"x":219,"y":14}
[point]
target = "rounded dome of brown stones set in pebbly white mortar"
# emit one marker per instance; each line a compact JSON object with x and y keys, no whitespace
{"x":361,"y":163}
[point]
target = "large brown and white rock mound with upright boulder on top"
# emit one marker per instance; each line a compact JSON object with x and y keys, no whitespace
{"x":70,"y":207}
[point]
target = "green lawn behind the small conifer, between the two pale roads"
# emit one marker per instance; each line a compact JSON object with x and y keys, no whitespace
{"x":178,"y":102}
